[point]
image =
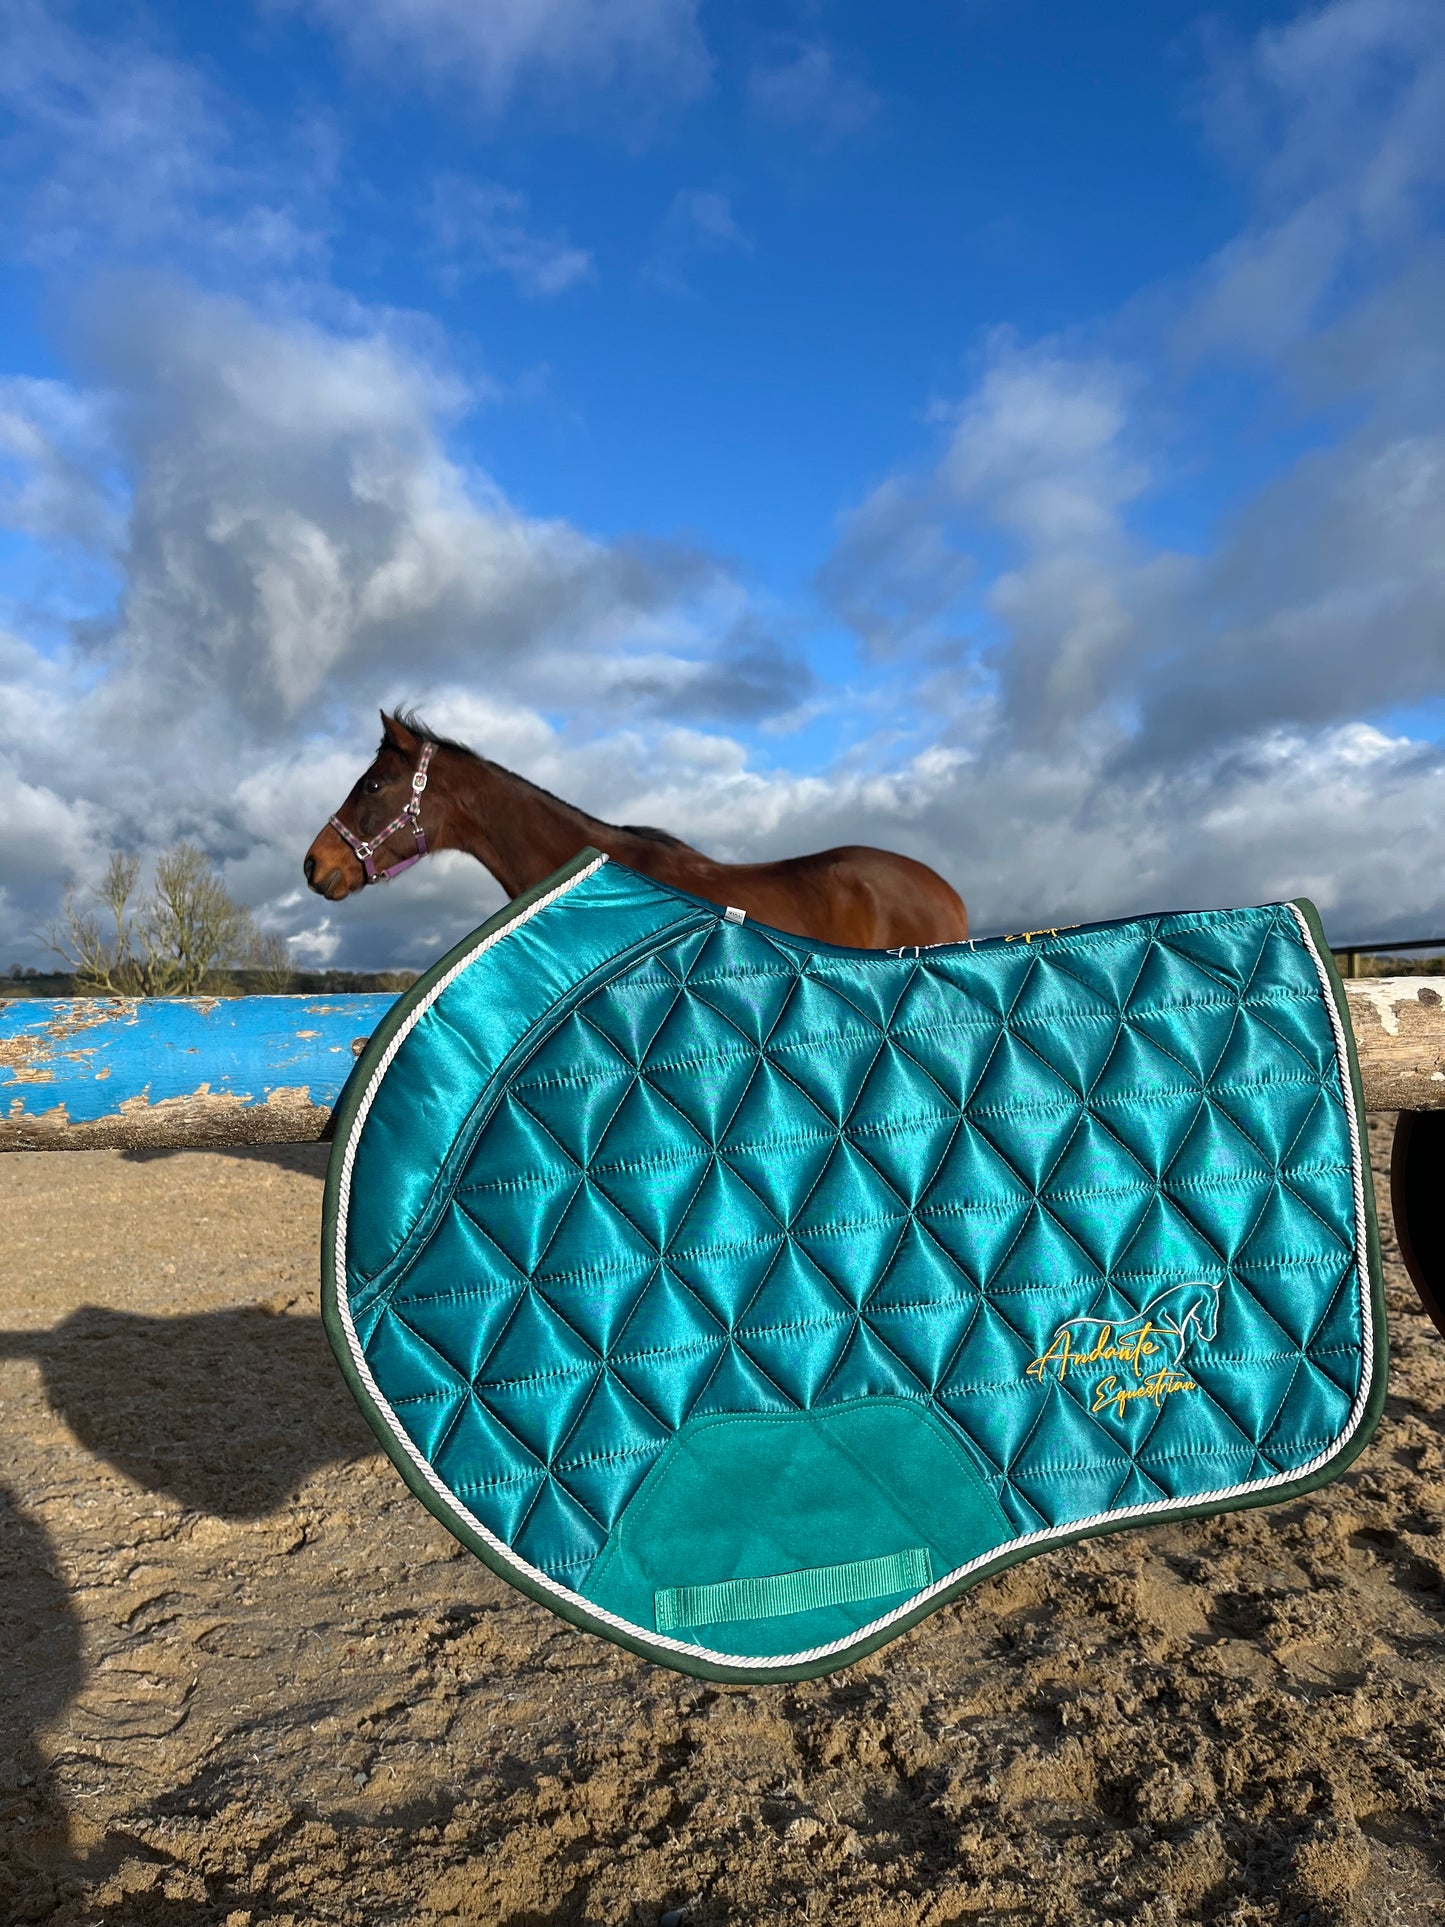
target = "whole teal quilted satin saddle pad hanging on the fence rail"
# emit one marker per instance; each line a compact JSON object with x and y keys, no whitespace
{"x":745,"y":1300}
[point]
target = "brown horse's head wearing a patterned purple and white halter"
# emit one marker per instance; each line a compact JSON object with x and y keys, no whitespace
{"x":384,"y":826}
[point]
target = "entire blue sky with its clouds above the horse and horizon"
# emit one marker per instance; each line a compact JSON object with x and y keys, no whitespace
{"x":1011,"y":433}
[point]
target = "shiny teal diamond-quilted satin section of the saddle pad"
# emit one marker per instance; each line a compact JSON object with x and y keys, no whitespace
{"x":754,"y":1176}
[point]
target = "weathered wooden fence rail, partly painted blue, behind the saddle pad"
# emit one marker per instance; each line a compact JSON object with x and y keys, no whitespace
{"x":145,"y":1074}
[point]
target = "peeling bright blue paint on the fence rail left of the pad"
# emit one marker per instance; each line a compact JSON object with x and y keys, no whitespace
{"x":93,"y":1055}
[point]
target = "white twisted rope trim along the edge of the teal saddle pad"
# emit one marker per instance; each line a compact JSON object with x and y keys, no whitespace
{"x":1043,"y":1537}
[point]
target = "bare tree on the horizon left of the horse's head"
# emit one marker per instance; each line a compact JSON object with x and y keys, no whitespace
{"x":172,"y":943}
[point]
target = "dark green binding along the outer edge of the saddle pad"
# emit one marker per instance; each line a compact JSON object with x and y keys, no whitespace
{"x":764,"y":1674}
